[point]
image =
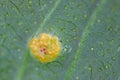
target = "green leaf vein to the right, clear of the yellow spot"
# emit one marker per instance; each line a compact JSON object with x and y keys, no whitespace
{"x":84,"y":36}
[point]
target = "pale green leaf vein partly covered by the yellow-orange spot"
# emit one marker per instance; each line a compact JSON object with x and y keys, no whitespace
{"x":27,"y":54}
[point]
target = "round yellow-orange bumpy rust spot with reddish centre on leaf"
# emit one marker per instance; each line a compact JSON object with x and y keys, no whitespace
{"x":45,"y":47}
